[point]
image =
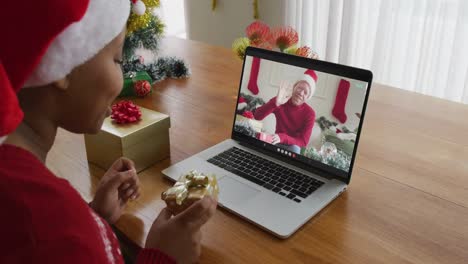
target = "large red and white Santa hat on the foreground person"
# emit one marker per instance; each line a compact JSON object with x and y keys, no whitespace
{"x":45,"y":40}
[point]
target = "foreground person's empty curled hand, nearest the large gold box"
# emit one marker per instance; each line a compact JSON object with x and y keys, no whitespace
{"x":119,"y":184}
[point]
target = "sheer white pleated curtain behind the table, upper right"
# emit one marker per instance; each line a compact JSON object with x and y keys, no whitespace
{"x":418,"y":45}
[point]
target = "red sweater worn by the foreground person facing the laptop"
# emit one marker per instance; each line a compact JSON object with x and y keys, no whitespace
{"x":45,"y":220}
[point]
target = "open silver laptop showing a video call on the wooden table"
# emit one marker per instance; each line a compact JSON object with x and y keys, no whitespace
{"x":290,"y":153}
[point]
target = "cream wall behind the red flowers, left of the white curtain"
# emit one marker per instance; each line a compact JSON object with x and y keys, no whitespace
{"x":229,"y":20}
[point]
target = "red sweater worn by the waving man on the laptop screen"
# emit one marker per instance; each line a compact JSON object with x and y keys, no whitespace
{"x":293,"y":123}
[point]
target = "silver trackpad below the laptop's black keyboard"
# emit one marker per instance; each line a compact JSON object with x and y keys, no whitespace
{"x":233,"y":191}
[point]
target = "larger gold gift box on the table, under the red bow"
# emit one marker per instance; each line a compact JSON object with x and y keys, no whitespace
{"x":145,"y":142}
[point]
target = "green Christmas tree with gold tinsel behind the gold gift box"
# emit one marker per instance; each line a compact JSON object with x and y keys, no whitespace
{"x":144,"y":32}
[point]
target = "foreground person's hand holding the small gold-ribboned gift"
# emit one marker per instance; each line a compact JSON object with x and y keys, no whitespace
{"x":180,"y":236}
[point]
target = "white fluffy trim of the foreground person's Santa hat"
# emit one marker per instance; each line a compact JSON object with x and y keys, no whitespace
{"x":102,"y":22}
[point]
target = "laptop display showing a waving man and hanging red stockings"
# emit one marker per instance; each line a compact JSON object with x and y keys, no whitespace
{"x":302,"y":113}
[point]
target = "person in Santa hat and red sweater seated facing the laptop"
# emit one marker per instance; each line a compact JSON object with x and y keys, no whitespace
{"x":60,"y":67}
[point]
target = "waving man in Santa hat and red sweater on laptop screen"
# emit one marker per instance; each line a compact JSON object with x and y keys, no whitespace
{"x":294,"y":118}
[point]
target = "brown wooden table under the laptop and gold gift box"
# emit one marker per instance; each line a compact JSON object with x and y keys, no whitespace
{"x":408,"y":198}
